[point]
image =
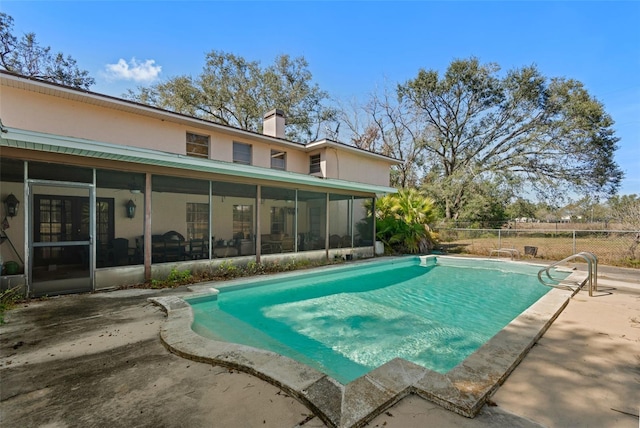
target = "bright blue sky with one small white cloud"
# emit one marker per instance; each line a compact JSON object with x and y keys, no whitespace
{"x":354,"y":47}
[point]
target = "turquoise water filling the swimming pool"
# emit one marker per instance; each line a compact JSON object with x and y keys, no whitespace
{"x":350,"y":320}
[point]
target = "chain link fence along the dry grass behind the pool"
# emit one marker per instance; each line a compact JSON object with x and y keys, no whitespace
{"x":612,"y":247}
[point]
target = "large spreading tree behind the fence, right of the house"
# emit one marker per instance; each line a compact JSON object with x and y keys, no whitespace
{"x":473,"y":124}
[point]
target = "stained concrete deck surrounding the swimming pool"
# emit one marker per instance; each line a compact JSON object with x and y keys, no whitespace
{"x":96,"y":360}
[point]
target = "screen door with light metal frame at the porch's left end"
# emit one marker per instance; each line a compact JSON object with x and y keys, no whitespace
{"x":61,"y":243}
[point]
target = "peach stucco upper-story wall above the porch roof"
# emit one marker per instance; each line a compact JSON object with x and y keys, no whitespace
{"x":72,"y":118}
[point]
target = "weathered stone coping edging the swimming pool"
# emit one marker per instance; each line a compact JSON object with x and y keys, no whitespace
{"x":463,"y":390}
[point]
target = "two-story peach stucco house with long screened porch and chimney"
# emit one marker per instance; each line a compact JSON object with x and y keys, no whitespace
{"x":100,"y":192}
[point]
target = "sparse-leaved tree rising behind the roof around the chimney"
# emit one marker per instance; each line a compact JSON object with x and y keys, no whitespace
{"x":236,"y":92}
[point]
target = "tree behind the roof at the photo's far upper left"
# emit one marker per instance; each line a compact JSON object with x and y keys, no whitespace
{"x":26,"y":57}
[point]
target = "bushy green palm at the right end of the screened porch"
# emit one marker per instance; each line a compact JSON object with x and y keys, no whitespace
{"x":402,"y":221}
